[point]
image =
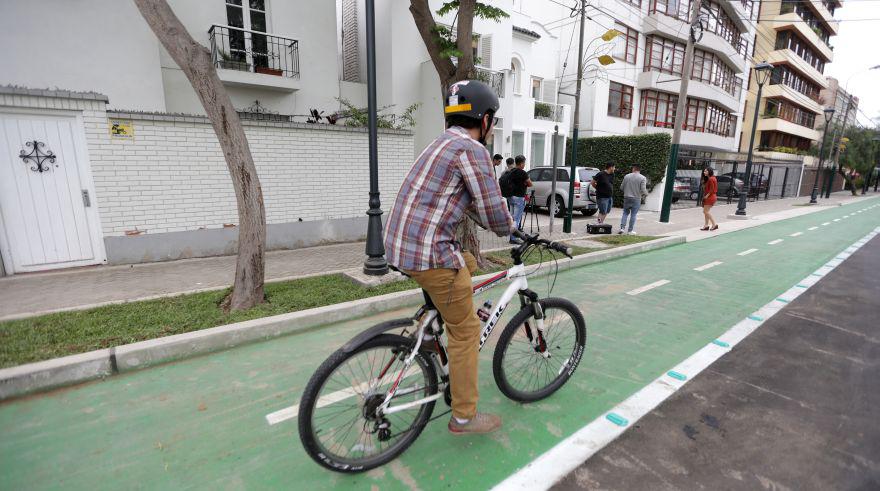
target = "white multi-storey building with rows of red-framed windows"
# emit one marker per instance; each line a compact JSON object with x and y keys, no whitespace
{"x":638,"y":93}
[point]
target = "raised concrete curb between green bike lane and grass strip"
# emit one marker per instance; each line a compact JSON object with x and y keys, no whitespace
{"x":68,"y":370}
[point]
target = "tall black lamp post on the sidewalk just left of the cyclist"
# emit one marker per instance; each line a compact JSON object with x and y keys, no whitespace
{"x":375,"y":264}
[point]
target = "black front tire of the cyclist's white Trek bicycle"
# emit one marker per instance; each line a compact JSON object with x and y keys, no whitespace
{"x":511,"y":328}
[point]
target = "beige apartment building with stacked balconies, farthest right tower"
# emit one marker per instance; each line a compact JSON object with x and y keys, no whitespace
{"x":794,"y":36}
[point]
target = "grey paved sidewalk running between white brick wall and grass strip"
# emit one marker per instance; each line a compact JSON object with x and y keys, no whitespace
{"x":38,"y":293}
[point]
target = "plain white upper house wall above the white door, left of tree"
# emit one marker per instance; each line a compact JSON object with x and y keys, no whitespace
{"x":97,"y":45}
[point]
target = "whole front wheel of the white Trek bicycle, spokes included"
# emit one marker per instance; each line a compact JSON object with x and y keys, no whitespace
{"x":530,"y":365}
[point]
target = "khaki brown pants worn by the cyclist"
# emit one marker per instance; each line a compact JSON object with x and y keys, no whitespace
{"x":452,"y":294}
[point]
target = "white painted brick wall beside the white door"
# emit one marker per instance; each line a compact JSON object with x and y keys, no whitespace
{"x":171,"y":176}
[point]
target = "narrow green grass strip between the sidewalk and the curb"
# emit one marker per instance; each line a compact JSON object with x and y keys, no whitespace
{"x":66,"y":333}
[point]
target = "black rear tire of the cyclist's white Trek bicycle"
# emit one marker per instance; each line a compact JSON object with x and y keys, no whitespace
{"x":310,"y":395}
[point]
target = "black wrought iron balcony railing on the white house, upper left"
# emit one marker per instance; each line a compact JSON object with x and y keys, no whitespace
{"x":233,"y":48}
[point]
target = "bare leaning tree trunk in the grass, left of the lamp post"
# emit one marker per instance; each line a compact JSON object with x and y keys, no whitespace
{"x":195,"y":61}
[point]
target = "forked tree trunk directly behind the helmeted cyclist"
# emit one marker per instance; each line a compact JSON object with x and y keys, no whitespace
{"x":466,"y":230}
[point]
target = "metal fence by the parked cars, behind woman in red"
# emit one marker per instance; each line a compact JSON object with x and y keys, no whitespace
{"x":769,"y":180}
